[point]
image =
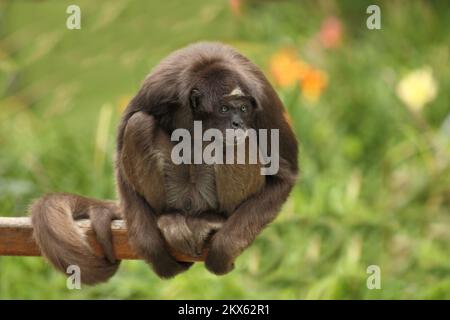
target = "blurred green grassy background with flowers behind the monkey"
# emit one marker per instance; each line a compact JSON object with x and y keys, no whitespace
{"x":371,"y":108}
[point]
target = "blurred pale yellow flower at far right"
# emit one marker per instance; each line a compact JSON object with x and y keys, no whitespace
{"x":417,"y":88}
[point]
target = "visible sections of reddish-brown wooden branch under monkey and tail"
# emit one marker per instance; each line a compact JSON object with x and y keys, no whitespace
{"x":16,"y":239}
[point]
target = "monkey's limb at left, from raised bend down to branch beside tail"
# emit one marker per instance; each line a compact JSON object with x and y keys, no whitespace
{"x":139,"y":185}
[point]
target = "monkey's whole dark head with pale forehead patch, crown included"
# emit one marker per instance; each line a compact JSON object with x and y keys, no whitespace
{"x":221,"y":101}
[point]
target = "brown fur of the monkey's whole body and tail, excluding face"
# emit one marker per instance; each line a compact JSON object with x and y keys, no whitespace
{"x":184,"y":205}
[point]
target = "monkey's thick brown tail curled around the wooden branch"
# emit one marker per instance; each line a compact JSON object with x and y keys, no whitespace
{"x":63,"y":243}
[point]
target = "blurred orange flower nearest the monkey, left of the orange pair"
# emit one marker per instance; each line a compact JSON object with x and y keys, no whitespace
{"x":286,"y":68}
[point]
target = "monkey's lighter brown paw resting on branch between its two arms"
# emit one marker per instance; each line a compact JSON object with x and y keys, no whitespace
{"x":189,"y":235}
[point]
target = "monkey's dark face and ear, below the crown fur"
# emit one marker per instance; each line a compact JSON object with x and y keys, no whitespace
{"x":235,"y":112}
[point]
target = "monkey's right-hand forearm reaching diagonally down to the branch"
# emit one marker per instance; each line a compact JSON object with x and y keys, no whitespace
{"x":247,"y":221}
